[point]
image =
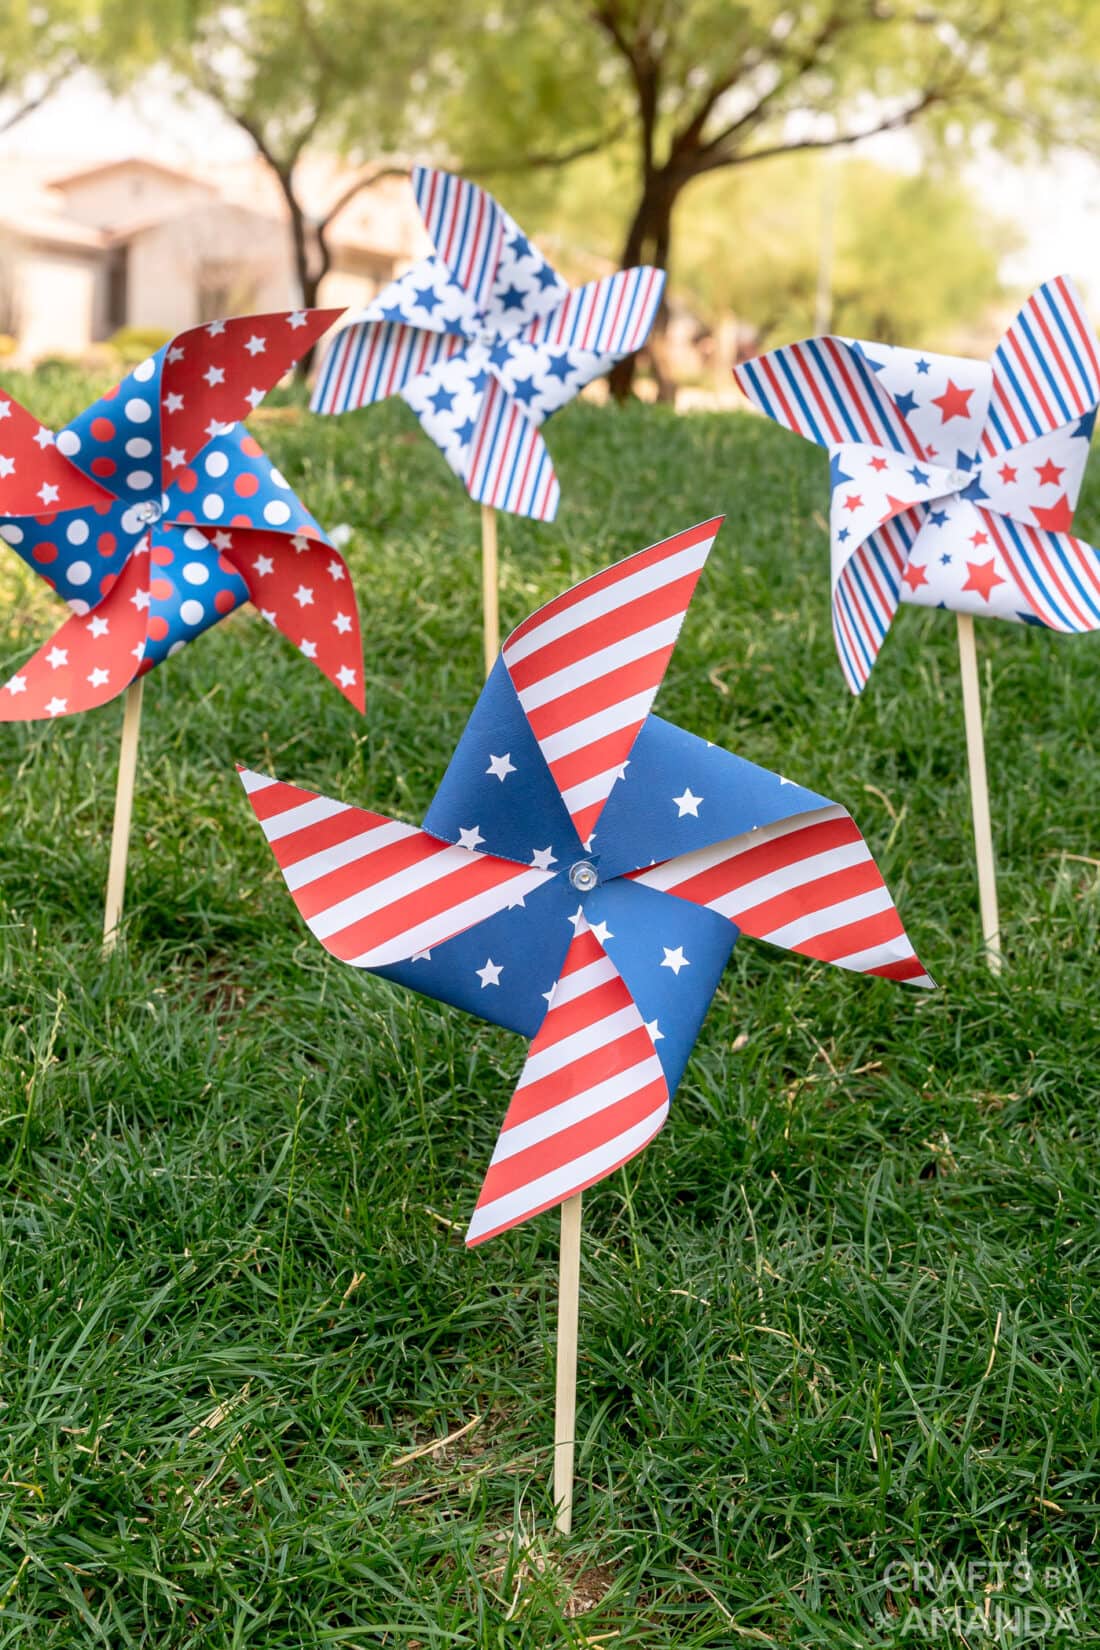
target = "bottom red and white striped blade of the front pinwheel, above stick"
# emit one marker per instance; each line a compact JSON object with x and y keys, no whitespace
{"x":593,"y":1095}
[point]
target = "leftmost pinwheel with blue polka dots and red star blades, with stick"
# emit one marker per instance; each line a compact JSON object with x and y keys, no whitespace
{"x":156,"y":516}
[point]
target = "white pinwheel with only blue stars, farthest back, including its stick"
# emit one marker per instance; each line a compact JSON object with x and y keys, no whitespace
{"x":486,"y":341}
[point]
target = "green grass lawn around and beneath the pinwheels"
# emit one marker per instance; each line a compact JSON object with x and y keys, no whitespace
{"x":844,"y":1314}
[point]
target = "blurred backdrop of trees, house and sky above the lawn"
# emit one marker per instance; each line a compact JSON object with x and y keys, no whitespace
{"x":878,"y":167}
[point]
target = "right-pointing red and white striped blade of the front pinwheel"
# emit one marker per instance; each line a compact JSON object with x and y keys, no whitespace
{"x":806,"y":884}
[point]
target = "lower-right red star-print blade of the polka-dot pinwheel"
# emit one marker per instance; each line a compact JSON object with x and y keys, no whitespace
{"x":306,"y":592}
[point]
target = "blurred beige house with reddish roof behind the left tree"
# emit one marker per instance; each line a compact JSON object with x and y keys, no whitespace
{"x":138,"y":243}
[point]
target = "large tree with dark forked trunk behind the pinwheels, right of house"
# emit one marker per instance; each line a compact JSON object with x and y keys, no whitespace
{"x":710,"y":85}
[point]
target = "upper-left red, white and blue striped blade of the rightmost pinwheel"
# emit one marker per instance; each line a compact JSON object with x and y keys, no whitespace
{"x":827,"y":392}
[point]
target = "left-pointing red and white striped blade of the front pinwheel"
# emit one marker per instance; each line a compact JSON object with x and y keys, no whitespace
{"x":372,"y":890}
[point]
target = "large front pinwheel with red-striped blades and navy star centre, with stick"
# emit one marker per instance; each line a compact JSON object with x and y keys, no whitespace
{"x":581,"y":879}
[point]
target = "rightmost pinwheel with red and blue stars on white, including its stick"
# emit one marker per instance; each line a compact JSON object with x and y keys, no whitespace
{"x":954,"y":486}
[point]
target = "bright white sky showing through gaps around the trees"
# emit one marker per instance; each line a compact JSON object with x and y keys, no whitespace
{"x":1055,"y":205}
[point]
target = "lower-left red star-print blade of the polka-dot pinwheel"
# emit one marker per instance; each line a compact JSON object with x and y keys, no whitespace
{"x":92,"y":659}
